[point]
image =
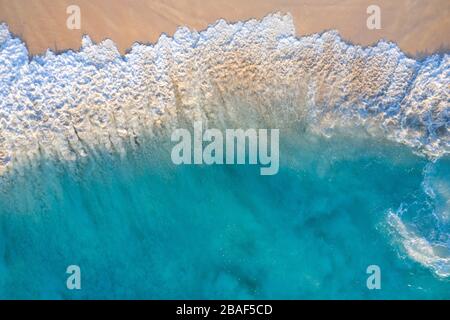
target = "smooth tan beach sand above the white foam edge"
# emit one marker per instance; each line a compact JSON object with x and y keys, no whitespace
{"x":416,"y":25}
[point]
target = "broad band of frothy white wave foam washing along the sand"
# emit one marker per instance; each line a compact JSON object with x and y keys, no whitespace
{"x":66,"y":104}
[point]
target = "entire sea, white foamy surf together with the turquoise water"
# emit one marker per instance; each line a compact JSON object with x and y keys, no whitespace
{"x":364,"y":155}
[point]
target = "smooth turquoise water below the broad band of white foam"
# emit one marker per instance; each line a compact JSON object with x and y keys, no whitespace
{"x":141,"y":227}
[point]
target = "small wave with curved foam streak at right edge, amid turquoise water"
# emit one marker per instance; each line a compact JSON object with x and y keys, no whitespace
{"x":422,"y":224}
